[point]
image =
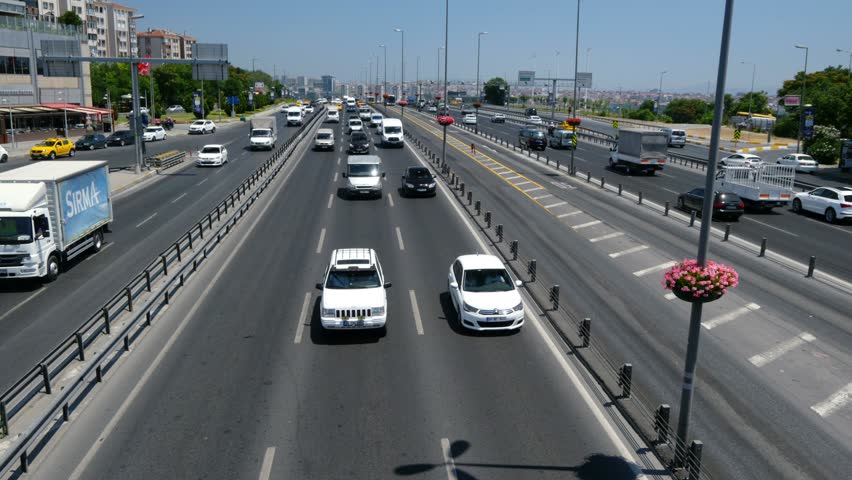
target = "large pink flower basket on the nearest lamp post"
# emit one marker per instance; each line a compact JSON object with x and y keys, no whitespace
{"x":692,"y":283}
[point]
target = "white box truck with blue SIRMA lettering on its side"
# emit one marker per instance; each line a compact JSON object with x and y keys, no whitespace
{"x":51,"y":212}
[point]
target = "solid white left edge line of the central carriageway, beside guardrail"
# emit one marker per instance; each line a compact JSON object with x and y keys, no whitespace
{"x":75,"y":475}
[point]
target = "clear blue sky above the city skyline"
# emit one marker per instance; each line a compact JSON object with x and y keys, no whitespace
{"x":631,"y":42}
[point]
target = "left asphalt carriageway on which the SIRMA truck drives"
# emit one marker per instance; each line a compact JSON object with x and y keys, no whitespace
{"x":35,"y":317}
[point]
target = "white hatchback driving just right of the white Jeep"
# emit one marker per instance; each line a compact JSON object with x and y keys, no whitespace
{"x":484,"y":294}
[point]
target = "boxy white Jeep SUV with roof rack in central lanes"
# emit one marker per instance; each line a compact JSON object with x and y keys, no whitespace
{"x":353,"y":291}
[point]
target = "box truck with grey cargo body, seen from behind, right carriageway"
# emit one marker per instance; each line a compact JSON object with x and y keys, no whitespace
{"x":639,"y":151}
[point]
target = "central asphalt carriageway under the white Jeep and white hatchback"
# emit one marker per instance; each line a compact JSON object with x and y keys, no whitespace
{"x":239,"y":381}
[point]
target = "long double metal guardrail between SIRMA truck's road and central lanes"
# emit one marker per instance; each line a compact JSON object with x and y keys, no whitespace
{"x":36,"y":383}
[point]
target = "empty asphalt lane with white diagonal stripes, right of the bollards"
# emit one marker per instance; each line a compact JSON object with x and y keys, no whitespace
{"x":775,"y":368}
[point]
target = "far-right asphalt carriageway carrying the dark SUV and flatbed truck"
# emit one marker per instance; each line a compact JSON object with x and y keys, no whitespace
{"x":798,"y":236}
